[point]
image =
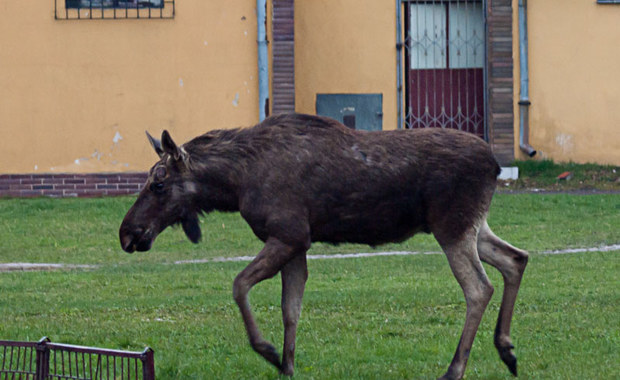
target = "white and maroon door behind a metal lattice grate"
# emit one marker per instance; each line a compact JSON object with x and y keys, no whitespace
{"x":445,"y":55}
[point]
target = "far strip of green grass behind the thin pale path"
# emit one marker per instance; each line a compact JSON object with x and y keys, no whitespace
{"x":85,"y":231}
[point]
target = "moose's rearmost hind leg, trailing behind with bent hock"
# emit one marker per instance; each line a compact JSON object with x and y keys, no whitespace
{"x":511,"y":263}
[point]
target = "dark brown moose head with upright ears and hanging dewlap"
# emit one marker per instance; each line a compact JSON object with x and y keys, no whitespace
{"x":167,"y":199}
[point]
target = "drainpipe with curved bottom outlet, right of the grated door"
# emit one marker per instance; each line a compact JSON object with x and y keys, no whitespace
{"x":524,"y":99}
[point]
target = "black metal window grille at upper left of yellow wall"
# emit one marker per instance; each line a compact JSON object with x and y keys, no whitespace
{"x":113,"y":9}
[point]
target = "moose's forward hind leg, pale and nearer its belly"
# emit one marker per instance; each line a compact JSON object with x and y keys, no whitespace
{"x":467,"y":268}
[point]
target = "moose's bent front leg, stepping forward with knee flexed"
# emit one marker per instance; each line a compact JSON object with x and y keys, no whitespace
{"x":266,"y":264}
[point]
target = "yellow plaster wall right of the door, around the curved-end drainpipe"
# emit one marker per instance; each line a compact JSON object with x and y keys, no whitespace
{"x":574,"y":51}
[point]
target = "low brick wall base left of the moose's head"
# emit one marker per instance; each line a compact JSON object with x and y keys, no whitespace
{"x":70,"y":185}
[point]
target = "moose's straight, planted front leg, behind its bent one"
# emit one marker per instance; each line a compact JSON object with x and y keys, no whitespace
{"x":294,"y":276}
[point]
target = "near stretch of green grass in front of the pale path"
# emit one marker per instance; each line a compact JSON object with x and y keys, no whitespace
{"x":371,"y":318}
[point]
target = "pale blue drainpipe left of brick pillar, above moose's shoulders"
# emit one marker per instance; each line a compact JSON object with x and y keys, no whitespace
{"x":263,"y":62}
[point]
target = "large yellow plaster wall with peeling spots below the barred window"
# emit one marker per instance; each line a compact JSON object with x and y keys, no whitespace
{"x":77,"y":95}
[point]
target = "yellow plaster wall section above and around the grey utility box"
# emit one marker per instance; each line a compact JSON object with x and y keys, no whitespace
{"x":345,"y":46}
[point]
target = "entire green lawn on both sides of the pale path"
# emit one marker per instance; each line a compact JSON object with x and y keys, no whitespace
{"x":363,"y":318}
